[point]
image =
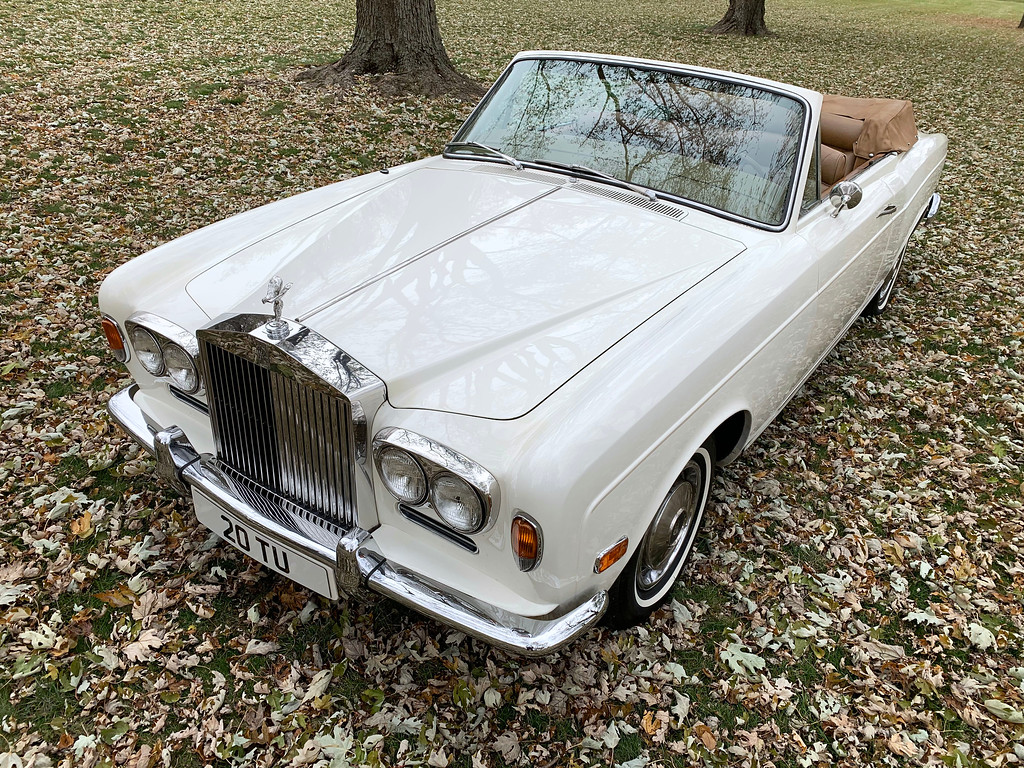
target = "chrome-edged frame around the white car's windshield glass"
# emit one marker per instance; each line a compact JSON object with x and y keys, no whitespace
{"x":674,"y":70}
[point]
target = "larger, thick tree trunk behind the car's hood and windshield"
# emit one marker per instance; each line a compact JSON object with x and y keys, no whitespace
{"x":401,"y":42}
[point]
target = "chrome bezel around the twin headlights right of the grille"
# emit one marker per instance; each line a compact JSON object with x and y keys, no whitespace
{"x":438,"y":460}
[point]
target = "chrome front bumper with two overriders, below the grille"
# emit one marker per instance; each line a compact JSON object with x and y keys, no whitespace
{"x":353,"y":559}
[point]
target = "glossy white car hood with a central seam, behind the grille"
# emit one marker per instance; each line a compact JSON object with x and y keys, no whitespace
{"x":470,"y":287}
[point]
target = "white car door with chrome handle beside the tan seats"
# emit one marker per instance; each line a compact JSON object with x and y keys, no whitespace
{"x":850,"y":250}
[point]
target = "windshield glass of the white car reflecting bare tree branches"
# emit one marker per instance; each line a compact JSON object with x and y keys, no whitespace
{"x":719,"y":144}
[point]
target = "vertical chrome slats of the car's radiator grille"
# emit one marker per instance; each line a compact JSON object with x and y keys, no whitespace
{"x":289,"y":438}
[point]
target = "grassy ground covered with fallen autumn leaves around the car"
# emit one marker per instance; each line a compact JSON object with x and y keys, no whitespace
{"x":858,"y":600}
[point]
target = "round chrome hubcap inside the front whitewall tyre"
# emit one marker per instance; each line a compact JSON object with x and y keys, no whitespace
{"x":672,"y":529}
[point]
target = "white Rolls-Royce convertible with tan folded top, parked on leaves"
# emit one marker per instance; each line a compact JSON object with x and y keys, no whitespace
{"x":494,"y":386}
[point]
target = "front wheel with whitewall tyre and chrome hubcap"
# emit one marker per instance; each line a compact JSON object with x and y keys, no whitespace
{"x":665,"y":548}
